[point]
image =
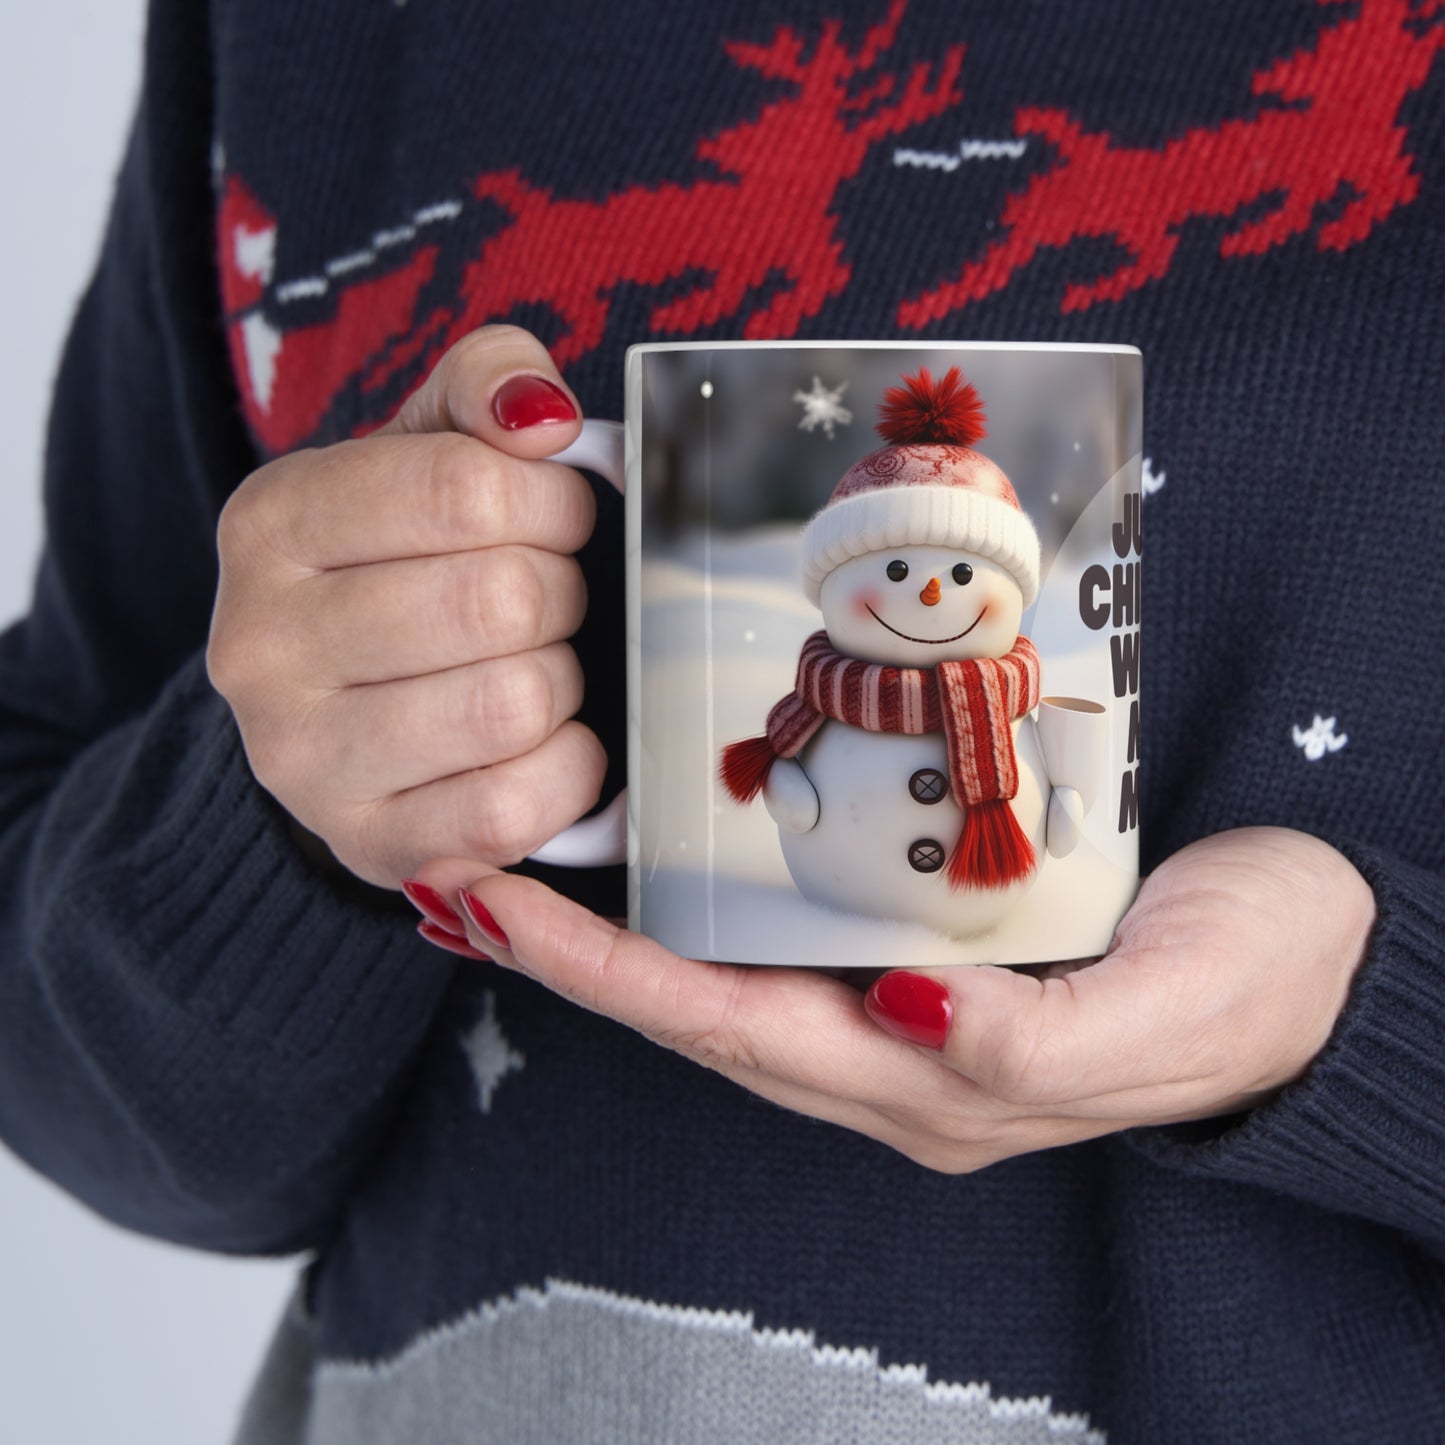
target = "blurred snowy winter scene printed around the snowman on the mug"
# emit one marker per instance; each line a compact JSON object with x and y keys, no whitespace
{"x":739,"y":449}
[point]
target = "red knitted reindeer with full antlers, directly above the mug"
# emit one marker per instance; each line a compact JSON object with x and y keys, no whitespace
{"x":769,"y":217}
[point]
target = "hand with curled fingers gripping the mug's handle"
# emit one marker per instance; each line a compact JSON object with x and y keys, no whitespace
{"x":392,"y":615}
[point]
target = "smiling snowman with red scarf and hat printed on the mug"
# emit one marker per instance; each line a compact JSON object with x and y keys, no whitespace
{"x":905,"y":771}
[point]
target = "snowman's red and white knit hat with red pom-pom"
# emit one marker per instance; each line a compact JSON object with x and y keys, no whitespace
{"x":928,"y":488}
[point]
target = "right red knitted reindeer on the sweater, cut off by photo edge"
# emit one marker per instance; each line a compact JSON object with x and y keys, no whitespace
{"x":1340,"y":129}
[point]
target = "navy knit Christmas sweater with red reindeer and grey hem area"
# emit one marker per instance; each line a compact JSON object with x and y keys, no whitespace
{"x":528,"y":1223}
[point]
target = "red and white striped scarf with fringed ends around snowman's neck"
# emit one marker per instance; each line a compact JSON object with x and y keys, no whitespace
{"x":972,"y":703}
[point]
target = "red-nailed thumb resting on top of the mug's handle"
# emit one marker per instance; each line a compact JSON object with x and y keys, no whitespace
{"x":499,"y":385}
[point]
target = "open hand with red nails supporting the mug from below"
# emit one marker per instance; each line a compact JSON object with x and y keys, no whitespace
{"x":1222,"y":985}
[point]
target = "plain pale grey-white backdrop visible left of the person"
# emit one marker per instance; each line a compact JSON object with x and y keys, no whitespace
{"x":103,"y":1336}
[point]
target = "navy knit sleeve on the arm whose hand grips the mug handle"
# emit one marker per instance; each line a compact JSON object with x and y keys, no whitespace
{"x":202,"y":1037}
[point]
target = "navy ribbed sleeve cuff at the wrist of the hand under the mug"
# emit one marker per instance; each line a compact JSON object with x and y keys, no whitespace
{"x":1363,"y":1131}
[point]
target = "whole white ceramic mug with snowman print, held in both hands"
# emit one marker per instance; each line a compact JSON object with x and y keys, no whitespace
{"x":884,"y":651}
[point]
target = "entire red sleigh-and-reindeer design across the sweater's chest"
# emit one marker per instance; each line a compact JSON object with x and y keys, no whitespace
{"x":762,"y":232}
